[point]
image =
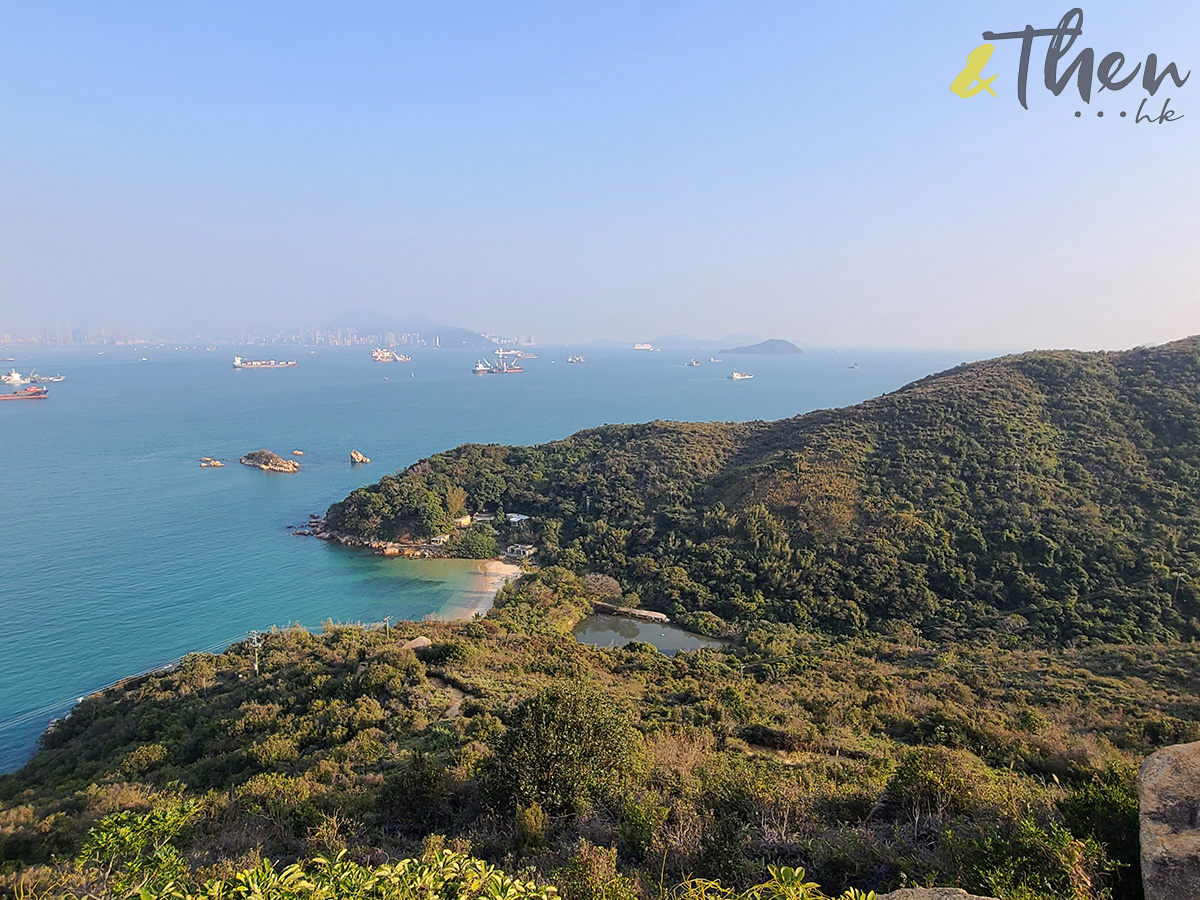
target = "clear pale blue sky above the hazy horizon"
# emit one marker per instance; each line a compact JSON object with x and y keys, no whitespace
{"x":595,"y":171}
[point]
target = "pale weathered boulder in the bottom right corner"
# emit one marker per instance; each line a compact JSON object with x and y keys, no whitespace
{"x":1169,"y":811}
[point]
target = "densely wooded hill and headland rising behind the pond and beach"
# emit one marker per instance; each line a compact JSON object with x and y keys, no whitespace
{"x":1043,"y":499}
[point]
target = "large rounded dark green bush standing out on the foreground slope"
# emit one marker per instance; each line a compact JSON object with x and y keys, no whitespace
{"x":567,"y":748}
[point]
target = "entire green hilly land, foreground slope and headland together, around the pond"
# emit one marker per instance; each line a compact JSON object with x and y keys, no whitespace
{"x":958,"y":621}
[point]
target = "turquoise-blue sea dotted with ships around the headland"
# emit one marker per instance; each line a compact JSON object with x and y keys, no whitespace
{"x":119,"y":554}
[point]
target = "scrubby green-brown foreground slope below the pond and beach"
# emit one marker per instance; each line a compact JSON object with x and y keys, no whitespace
{"x":872,"y":763}
